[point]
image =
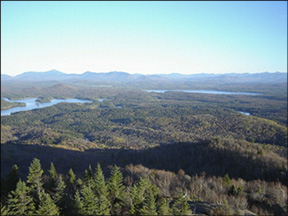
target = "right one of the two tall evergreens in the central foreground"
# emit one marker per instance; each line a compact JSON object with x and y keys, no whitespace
{"x":116,"y":190}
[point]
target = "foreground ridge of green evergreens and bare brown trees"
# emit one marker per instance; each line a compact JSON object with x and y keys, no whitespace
{"x":140,"y":191}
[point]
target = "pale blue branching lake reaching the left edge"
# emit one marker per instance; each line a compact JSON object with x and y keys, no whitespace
{"x":32,"y":104}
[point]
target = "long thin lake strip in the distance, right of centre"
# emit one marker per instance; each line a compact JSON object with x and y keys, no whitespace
{"x":205,"y":92}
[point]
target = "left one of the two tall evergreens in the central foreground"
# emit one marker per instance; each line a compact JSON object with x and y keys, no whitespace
{"x":101,"y":190}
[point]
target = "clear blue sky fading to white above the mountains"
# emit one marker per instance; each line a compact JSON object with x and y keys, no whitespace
{"x":144,"y":37}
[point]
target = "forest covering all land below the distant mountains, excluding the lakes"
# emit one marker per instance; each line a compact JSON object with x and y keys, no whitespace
{"x":145,"y":153}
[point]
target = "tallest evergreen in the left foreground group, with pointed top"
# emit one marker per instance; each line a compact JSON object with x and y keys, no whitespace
{"x":34,"y":179}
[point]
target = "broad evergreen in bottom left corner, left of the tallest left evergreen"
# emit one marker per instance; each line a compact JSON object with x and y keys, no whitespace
{"x":19,"y":201}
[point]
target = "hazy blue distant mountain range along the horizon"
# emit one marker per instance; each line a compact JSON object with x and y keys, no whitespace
{"x":122,"y":77}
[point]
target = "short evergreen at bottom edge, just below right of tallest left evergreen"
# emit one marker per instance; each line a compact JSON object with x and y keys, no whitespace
{"x":47,"y":206}
